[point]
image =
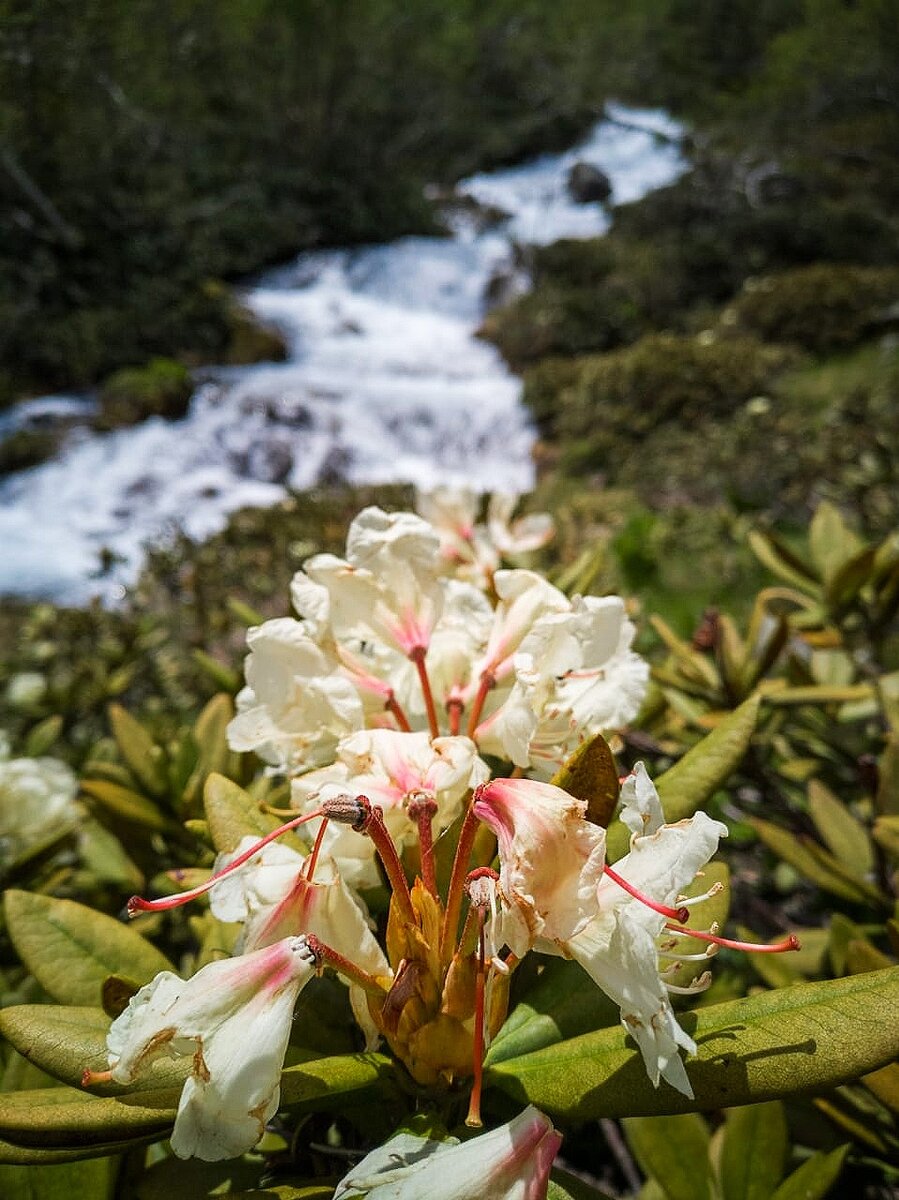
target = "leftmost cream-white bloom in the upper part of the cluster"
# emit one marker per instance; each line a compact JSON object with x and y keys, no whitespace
{"x":297,"y":705}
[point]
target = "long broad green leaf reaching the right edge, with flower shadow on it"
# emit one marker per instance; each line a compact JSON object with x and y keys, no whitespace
{"x":762,"y":1048}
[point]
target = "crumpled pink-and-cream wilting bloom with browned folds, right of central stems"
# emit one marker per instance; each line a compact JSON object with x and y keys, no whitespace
{"x":550,"y":860}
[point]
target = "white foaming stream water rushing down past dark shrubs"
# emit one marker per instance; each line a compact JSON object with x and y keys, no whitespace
{"x":386,"y":382}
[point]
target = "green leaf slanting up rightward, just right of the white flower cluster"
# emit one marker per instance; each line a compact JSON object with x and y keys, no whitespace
{"x":691,"y":783}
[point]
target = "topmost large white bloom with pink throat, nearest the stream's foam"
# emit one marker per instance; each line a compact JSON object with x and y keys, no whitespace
{"x":387,"y":589}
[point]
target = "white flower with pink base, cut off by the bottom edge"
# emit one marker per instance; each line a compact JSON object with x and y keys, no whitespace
{"x":510,"y":1163}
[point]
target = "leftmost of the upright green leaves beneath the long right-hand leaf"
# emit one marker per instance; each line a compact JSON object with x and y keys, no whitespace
{"x":674,"y":1151}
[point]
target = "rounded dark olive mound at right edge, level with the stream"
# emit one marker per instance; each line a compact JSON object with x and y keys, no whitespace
{"x":822,"y":308}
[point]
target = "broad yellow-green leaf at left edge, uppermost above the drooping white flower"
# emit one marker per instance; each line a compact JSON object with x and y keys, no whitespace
{"x":71,"y":950}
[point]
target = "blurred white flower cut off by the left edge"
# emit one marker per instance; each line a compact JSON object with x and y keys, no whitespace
{"x":37,"y":799}
